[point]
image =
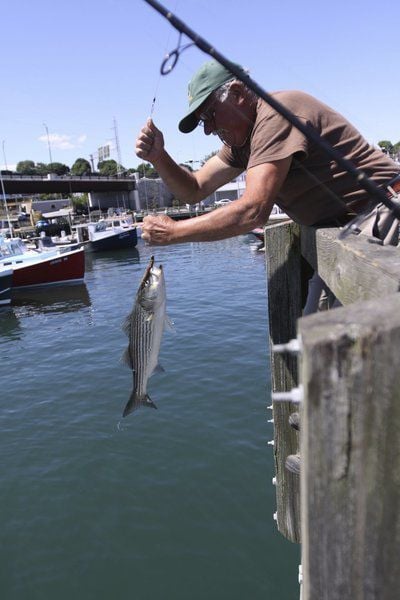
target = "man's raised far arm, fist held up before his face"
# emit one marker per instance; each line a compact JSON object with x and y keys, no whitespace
{"x":188,"y":187}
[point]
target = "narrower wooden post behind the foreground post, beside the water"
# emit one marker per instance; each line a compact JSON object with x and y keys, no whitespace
{"x":282,"y":246}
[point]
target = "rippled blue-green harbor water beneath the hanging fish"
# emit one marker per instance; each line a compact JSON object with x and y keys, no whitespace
{"x":168,"y":504}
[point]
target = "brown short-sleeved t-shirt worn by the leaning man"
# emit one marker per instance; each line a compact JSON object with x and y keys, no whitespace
{"x":317,"y":189}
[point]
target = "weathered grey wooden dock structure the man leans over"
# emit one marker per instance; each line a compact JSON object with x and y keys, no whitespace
{"x":344,"y":508}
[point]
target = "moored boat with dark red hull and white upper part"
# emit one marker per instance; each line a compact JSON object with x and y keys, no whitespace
{"x":41,"y":266}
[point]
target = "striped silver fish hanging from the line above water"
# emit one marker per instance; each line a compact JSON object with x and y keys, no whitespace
{"x":144,"y":327}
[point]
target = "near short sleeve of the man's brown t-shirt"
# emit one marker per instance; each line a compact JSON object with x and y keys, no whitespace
{"x":274,"y":138}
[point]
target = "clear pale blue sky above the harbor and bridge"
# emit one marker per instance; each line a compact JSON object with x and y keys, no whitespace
{"x":75,"y":66}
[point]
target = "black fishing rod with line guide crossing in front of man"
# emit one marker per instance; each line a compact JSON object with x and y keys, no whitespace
{"x":308,"y":130}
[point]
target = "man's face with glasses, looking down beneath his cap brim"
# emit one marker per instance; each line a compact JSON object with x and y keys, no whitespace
{"x":226,"y":118}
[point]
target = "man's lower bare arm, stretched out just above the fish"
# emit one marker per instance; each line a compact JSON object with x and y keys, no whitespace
{"x":252,"y":210}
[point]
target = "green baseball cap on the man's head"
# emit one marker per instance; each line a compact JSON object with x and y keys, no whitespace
{"x":208,"y":78}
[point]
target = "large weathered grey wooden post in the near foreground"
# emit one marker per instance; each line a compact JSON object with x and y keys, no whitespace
{"x":350,"y":452}
